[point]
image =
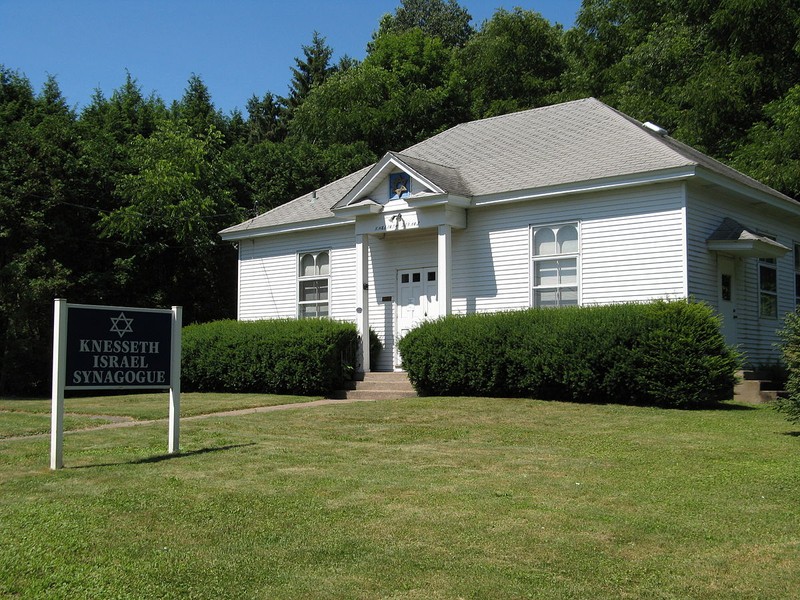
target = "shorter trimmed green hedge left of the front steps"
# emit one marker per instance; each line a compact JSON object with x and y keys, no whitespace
{"x":278,"y":356}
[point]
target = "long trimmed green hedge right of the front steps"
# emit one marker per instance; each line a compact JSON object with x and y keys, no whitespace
{"x":663,"y":353}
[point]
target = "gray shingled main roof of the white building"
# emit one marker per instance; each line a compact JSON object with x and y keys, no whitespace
{"x":554,"y":145}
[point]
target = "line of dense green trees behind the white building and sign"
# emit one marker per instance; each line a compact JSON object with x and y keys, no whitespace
{"x":120,"y":202}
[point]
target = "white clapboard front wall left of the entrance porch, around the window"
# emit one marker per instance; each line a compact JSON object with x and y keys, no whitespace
{"x":268,"y":273}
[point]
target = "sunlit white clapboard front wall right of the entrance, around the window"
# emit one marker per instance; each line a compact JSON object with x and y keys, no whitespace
{"x":632,"y":248}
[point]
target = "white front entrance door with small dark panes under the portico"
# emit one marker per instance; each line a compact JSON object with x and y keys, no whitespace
{"x":417,"y":301}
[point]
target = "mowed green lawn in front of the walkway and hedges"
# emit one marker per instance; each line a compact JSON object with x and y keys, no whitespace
{"x":418,"y":498}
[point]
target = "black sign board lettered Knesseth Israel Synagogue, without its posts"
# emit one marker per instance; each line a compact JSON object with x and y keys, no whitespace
{"x":118,"y":348}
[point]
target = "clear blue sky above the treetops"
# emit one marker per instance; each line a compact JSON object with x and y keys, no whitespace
{"x":238,"y":47}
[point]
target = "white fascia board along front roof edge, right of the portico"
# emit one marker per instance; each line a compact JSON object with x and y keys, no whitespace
{"x":592,"y":185}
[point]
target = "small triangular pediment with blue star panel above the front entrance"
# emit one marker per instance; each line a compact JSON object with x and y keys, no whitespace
{"x":398,"y":177}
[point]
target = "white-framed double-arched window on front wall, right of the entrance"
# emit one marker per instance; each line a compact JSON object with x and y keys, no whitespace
{"x":554,"y":268}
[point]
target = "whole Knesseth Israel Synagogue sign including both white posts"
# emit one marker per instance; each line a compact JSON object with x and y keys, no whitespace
{"x":114,"y":347}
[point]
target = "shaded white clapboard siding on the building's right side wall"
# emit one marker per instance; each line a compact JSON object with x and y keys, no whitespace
{"x":705,"y":212}
